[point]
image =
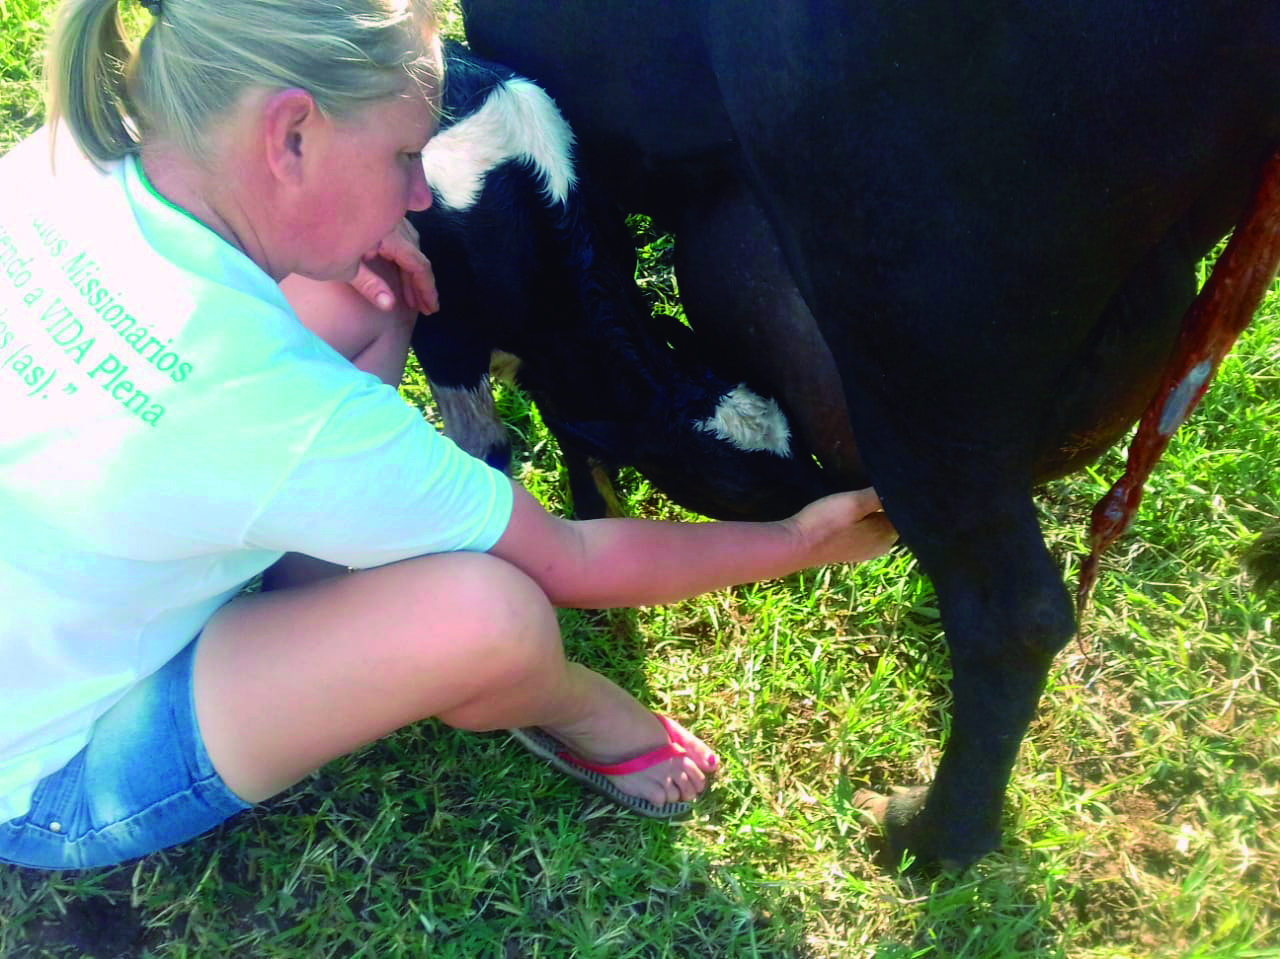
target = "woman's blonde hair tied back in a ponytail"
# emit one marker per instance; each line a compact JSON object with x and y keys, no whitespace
{"x":199,"y":57}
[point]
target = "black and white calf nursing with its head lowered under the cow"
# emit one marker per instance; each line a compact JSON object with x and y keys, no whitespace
{"x":529,"y":264}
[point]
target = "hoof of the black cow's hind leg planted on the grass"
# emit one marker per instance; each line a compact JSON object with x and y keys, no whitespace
{"x":908,"y":829}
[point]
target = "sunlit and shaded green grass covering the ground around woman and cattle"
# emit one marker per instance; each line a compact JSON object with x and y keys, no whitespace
{"x":1142,"y":820}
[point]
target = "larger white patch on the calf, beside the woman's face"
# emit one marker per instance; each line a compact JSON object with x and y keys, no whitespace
{"x":518,"y":122}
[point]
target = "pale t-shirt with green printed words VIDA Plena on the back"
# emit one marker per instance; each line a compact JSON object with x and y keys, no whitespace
{"x":168,"y":430}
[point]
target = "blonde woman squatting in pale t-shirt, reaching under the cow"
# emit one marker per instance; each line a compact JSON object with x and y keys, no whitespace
{"x":172,"y":430}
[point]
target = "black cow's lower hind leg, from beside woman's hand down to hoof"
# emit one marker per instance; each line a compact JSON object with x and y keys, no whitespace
{"x":1007,"y":614}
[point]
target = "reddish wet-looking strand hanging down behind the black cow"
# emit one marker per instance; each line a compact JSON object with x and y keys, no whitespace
{"x":1224,"y":308}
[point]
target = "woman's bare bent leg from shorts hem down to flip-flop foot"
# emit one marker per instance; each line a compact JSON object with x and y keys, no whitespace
{"x":287,"y":681}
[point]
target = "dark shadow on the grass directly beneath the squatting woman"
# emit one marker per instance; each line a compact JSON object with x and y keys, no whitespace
{"x":495,"y":856}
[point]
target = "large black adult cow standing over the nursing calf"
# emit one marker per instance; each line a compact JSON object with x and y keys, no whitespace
{"x":989,"y":212}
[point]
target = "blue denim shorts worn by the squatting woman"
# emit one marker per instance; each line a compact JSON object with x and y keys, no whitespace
{"x":143,"y":783}
